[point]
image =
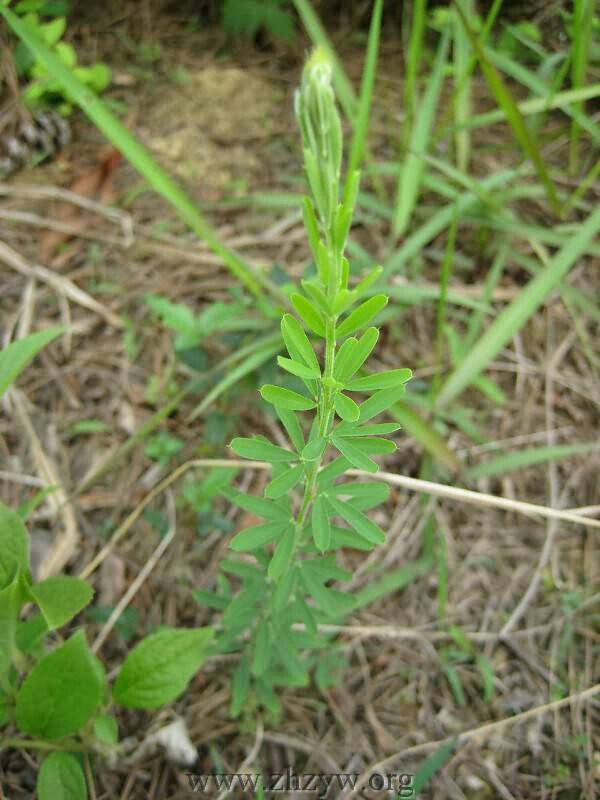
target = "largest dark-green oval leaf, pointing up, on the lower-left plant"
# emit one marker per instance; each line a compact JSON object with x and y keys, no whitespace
{"x":61,"y":693}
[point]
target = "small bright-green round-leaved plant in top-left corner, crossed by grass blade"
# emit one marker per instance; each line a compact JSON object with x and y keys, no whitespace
{"x":48,"y":21}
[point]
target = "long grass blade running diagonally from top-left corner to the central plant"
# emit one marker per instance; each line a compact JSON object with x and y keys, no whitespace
{"x":139,"y":157}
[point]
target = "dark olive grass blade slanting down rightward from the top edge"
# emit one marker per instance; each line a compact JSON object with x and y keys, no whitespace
{"x":508,"y":105}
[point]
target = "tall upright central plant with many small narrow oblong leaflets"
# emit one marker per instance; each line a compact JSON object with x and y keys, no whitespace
{"x":293,"y":549}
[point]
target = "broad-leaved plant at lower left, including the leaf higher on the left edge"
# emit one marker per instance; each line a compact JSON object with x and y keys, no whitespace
{"x":55,"y":697}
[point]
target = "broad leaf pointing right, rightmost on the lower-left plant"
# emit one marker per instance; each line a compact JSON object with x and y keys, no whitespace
{"x":160,"y":667}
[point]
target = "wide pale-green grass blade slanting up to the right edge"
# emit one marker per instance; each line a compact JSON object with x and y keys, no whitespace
{"x":515,"y":315}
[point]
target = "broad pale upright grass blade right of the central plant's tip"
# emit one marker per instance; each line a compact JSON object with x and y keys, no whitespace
{"x":409,"y":182}
